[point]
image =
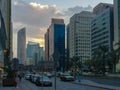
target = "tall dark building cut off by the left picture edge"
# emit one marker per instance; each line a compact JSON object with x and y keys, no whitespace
{"x":5,"y":30}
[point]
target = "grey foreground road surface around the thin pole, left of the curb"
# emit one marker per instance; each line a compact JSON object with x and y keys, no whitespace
{"x":27,"y":85}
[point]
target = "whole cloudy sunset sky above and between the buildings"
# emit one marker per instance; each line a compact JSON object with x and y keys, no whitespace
{"x":36,"y":15}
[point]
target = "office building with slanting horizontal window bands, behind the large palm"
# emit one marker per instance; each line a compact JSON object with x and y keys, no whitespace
{"x":102,"y":27}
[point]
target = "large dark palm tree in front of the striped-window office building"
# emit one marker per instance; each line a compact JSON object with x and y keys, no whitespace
{"x":100,"y":57}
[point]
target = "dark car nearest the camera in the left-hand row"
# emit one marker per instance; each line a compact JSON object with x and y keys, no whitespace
{"x":43,"y":80}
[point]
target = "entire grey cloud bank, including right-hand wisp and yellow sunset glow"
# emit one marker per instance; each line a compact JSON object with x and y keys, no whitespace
{"x":36,"y":18}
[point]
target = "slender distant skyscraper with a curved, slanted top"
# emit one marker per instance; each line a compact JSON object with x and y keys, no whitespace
{"x":21,"y":46}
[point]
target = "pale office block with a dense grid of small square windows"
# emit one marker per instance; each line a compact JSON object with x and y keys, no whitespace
{"x":80,"y":35}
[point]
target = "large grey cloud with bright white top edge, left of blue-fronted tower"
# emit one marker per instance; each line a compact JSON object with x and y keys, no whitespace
{"x":35,"y":17}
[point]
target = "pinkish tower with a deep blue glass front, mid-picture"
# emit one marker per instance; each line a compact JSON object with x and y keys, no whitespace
{"x":57,"y":42}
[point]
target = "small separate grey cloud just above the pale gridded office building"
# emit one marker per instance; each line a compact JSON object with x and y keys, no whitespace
{"x":77,"y":9}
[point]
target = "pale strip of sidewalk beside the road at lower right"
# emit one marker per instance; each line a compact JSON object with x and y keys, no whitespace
{"x":94,"y":84}
